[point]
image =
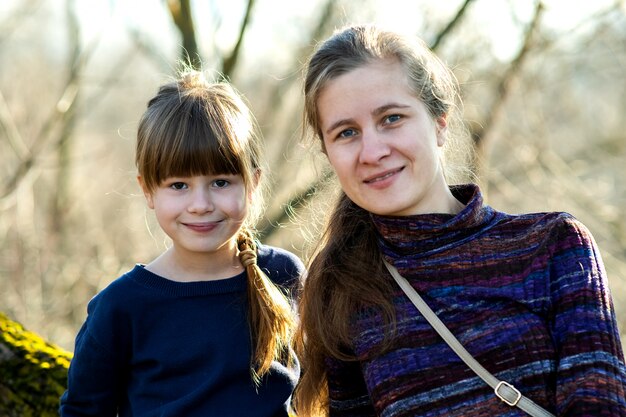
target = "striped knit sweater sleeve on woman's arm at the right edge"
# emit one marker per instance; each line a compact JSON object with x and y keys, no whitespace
{"x":591,"y":375}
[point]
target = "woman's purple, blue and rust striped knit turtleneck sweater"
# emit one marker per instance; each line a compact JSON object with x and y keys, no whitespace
{"x":527,"y":296}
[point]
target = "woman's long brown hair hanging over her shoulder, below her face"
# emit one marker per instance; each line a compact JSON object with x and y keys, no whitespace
{"x":344,"y":276}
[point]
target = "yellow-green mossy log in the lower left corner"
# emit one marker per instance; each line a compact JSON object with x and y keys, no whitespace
{"x":33,"y":372}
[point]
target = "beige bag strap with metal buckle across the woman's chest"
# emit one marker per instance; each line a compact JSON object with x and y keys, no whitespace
{"x":503,"y":390}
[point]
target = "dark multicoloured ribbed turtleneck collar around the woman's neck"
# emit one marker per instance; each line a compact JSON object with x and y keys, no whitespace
{"x":405,"y":238}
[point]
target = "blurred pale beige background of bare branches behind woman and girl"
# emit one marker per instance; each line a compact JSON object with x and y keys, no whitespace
{"x":543,"y":84}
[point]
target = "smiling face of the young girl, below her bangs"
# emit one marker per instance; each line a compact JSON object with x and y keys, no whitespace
{"x":201,"y":214}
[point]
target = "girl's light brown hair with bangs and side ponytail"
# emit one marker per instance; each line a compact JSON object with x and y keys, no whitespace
{"x":195,"y":127}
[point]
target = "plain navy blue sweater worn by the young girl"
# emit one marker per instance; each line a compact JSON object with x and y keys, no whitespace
{"x":155,"y":347}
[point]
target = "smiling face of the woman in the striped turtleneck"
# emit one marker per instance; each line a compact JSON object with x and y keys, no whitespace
{"x":382,"y":142}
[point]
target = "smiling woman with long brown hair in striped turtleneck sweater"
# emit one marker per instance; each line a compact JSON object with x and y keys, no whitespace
{"x":525,"y":294}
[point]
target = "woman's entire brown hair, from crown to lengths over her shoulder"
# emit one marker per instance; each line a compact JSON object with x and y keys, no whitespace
{"x":346,"y":273}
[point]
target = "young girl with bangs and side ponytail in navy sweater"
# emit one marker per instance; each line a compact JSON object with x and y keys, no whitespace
{"x":205,"y":328}
